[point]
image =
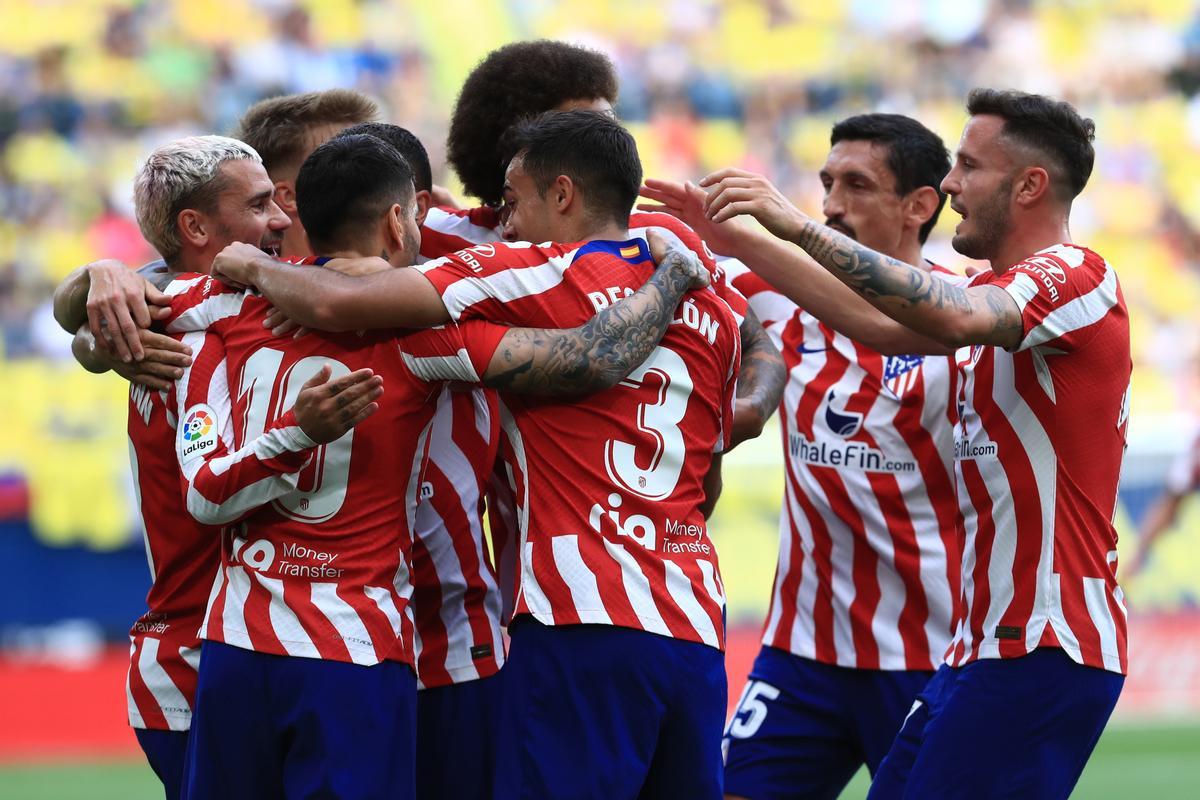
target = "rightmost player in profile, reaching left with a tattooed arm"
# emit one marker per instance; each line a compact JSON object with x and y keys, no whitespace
{"x":1041,"y":344}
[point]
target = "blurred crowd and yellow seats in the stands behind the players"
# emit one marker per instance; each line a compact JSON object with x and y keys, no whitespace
{"x":89,"y":87}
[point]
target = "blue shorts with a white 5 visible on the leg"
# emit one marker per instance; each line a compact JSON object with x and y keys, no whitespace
{"x":803,"y":729}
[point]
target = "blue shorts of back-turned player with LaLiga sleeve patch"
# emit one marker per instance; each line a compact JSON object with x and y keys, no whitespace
{"x":271,"y":726}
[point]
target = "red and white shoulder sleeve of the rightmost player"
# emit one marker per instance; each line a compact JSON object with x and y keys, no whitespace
{"x":1064,"y":293}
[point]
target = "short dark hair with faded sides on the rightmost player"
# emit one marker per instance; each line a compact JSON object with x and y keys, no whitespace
{"x":1052,"y":128}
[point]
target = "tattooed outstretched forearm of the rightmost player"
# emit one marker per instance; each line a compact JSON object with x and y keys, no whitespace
{"x":938,"y":309}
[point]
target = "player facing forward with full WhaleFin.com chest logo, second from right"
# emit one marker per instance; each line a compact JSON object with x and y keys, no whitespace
{"x":867,"y":580}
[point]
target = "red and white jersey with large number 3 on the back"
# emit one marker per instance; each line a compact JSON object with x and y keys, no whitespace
{"x":621,"y":540}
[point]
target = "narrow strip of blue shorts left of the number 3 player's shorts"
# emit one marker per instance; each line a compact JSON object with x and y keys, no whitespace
{"x":458,"y":729}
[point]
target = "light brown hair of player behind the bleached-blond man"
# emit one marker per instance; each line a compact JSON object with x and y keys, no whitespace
{"x":280,"y":129}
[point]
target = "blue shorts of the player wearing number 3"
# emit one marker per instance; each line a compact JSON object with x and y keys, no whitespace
{"x":605,"y":712}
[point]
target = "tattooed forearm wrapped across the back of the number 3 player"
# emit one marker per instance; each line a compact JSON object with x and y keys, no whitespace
{"x":601,"y":353}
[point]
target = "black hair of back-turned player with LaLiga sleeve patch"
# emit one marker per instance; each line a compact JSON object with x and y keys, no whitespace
{"x":346,"y":187}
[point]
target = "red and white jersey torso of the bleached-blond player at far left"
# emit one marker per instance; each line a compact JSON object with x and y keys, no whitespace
{"x":184,"y":557}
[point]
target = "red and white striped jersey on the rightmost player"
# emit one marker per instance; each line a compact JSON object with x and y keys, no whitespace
{"x":1039,"y":449}
